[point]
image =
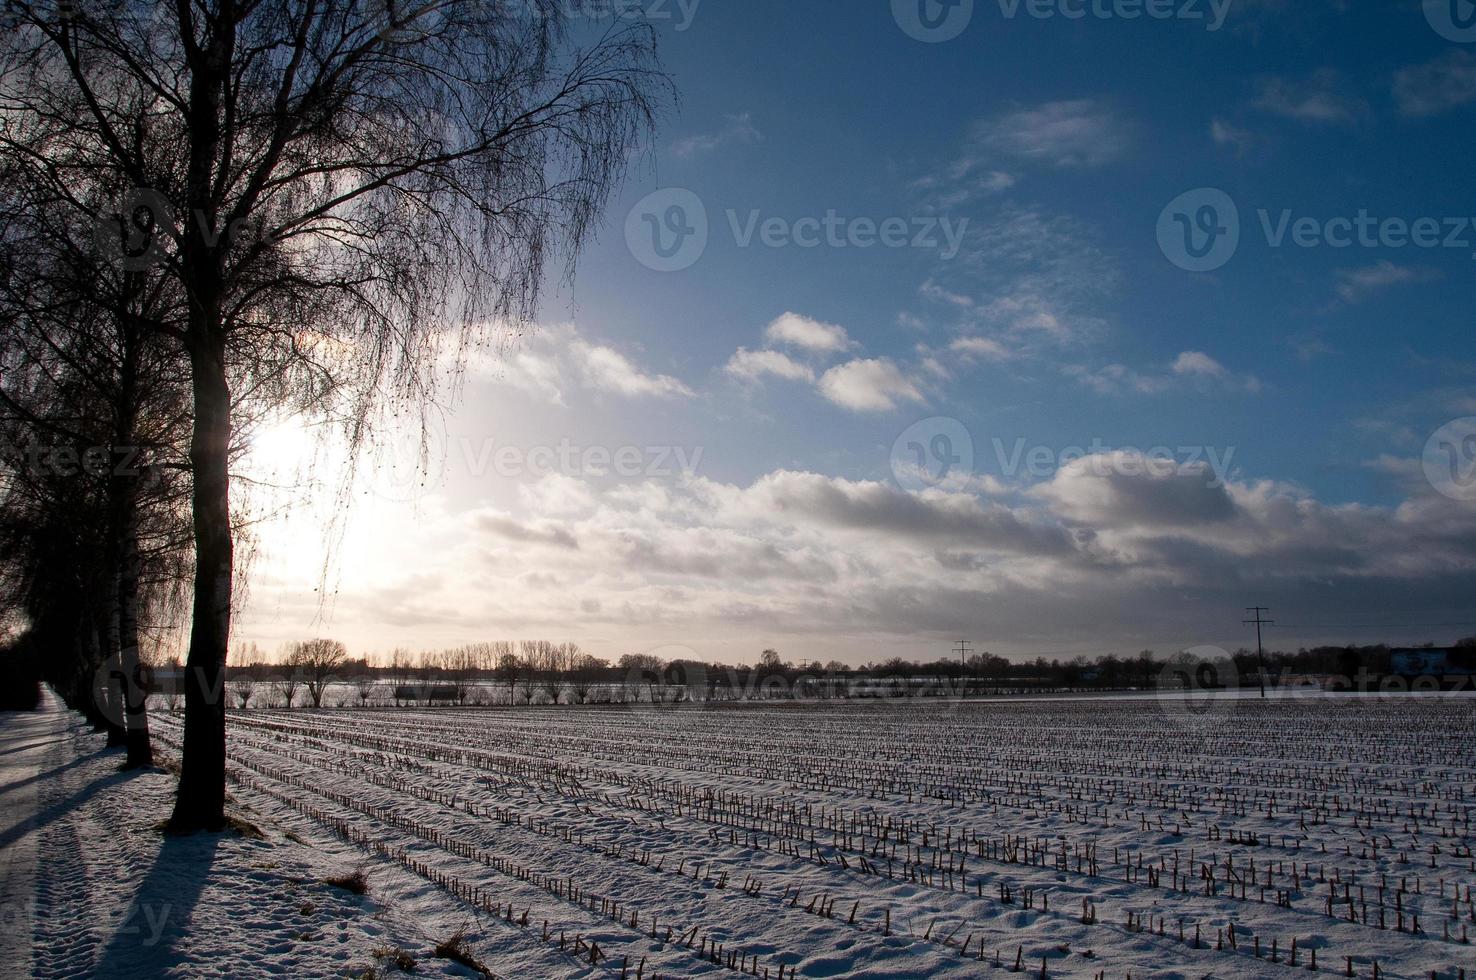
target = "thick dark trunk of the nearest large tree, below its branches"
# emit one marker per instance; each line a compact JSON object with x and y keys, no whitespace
{"x":201,"y":804}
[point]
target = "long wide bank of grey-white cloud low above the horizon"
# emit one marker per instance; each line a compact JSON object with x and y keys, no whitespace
{"x":1106,"y":550}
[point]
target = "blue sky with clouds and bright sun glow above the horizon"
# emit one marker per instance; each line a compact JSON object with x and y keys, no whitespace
{"x":1062,"y":327}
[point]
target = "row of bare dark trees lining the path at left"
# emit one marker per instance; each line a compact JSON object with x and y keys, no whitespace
{"x":230,"y":210}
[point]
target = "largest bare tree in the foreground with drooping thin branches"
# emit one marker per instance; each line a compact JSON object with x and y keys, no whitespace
{"x":383,"y":173}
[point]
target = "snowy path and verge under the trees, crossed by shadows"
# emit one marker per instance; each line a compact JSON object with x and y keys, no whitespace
{"x":92,"y":888}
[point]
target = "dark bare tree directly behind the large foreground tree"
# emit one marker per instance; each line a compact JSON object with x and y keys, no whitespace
{"x":83,"y":370}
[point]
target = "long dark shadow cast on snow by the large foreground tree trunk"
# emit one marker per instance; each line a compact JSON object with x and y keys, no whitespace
{"x":162,"y":911}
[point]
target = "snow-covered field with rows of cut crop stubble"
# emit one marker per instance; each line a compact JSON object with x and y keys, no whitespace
{"x":1078,"y":838}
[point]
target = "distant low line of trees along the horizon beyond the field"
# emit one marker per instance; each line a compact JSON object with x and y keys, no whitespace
{"x":542,"y":672}
